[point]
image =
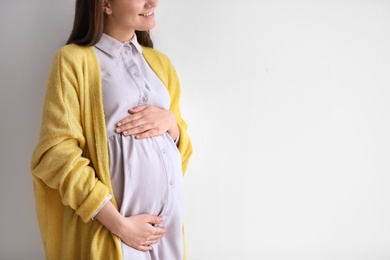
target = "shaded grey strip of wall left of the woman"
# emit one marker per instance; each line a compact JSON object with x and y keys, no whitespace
{"x":31,"y":32}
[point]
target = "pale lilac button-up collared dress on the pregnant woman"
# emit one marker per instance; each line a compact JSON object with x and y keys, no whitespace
{"x":146,"y":174}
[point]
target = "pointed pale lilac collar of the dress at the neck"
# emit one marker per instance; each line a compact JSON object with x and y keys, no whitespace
{"x":113,"y":47}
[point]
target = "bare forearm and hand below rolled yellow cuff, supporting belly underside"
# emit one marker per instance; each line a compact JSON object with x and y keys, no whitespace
{"x":136,"y":231}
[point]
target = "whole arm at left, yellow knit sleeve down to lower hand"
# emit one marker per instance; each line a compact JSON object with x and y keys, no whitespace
{"x":59,"y":162}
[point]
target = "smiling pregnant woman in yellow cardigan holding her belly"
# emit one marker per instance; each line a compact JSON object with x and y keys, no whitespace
{"x":113,"y":146}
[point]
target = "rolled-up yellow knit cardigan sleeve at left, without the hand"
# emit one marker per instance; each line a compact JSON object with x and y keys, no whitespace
{"x":58,"y":161}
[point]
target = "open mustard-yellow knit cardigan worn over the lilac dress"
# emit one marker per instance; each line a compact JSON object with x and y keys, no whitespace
{"x":70,"y":165}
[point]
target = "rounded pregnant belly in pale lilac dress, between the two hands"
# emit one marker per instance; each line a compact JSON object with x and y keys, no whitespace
{"x":145,"y":174}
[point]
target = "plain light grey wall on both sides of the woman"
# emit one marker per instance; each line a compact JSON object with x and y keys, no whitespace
{"x":288,"y":106}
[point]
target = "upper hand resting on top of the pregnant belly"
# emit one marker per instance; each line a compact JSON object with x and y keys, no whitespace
{"x":147,"y":121}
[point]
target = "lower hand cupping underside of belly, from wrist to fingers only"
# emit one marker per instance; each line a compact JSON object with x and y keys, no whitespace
{"x":140,"y":233}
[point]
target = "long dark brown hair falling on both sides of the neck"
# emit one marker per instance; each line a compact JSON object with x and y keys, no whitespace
{"x":89,"y":23}
